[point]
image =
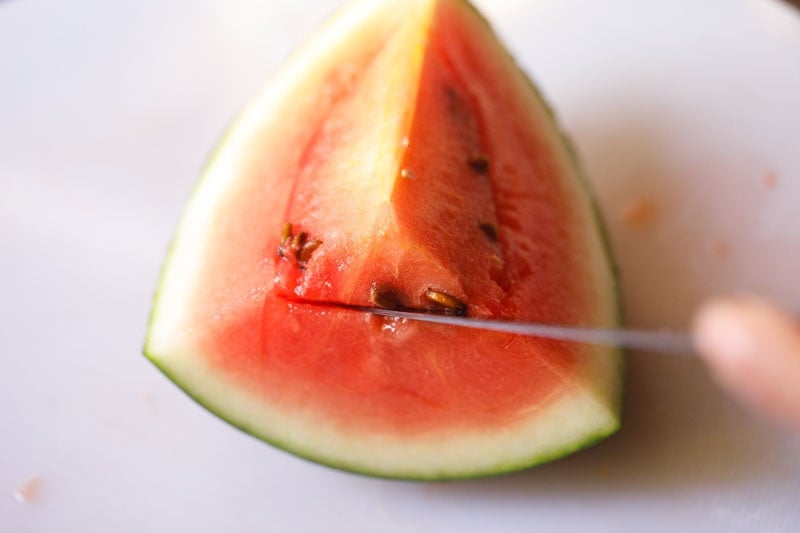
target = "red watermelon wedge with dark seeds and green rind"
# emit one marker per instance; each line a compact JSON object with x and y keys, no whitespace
{"x":400,"y":159}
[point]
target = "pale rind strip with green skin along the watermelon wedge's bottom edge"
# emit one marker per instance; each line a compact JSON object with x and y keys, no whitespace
{"x":576,"y":421}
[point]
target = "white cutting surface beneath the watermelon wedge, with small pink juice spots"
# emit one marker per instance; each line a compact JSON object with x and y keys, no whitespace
{"x":107,"y":110}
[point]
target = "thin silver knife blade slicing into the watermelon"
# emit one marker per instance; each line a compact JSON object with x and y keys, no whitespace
{"x":663,"y":341}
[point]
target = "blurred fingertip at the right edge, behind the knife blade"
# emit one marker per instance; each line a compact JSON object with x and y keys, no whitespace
{"x":753,"y":350}
